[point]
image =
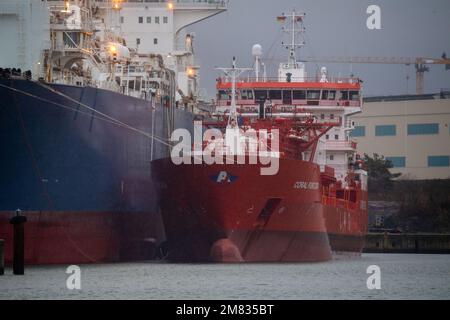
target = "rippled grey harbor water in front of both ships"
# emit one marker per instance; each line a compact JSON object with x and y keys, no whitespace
{"x":403,"y":276}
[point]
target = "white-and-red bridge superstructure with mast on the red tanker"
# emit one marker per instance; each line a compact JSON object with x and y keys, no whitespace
{"x":293,"y":94}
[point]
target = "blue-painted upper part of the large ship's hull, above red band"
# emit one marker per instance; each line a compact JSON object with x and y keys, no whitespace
{"x":58,"y":156}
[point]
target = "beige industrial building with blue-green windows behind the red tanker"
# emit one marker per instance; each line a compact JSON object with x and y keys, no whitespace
{"x":412,"y":131}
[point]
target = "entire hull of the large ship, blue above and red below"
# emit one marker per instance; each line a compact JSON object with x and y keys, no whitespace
{"x":82,"y":180}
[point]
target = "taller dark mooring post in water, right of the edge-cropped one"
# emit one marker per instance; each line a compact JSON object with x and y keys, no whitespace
{"x":18,"y":222}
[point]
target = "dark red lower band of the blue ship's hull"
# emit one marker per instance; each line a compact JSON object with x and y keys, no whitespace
{"x":83,"y":237}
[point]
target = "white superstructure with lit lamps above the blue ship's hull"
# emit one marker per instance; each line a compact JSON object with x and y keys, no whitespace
{"x":81,"y":30}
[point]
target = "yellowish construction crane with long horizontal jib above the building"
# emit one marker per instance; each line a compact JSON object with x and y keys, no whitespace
{"x":421,"y":64}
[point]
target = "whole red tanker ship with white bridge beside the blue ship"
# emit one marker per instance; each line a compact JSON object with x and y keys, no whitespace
{"x":314,"y":205}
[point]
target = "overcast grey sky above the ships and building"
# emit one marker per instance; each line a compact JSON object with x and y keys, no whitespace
{"x":334,"y":28}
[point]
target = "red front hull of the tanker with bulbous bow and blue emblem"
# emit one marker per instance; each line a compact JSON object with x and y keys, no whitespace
{"x":247,"y":218}
